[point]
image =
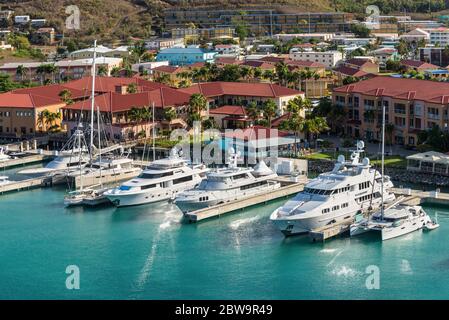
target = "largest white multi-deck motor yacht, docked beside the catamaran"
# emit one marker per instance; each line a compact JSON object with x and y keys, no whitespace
{"x":350,"y":188}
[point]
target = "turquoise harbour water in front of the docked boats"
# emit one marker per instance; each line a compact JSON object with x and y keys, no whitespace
{"x":150,"y":253}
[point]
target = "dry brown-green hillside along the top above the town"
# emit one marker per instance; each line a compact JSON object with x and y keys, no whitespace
{"x":122,"y":20}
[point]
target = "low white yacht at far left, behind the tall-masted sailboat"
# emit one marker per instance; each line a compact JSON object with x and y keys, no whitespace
{"x":73,"y":155}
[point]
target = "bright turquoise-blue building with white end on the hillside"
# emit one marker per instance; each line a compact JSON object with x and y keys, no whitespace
{"x":184,"y":56}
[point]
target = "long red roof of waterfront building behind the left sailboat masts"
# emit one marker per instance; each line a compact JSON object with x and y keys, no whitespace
{"x":116,"y":102}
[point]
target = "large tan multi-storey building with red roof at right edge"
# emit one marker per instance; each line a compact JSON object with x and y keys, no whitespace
{"x":411,"y":106}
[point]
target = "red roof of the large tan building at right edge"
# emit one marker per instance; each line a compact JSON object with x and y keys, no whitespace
{"x":400,"y":88}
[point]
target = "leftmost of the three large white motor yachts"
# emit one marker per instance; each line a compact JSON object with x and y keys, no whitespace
{"x":161,"y":181}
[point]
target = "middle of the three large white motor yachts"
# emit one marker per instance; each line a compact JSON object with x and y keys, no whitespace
{"x":228,"y":184}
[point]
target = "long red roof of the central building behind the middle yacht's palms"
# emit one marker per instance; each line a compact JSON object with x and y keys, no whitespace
{"x":214,"y":89}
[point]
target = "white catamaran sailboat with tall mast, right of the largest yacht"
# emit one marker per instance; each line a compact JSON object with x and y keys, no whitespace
{"x":396,"y":220}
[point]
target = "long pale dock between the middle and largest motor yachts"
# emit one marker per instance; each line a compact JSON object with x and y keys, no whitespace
{"x":288,"y":187}
